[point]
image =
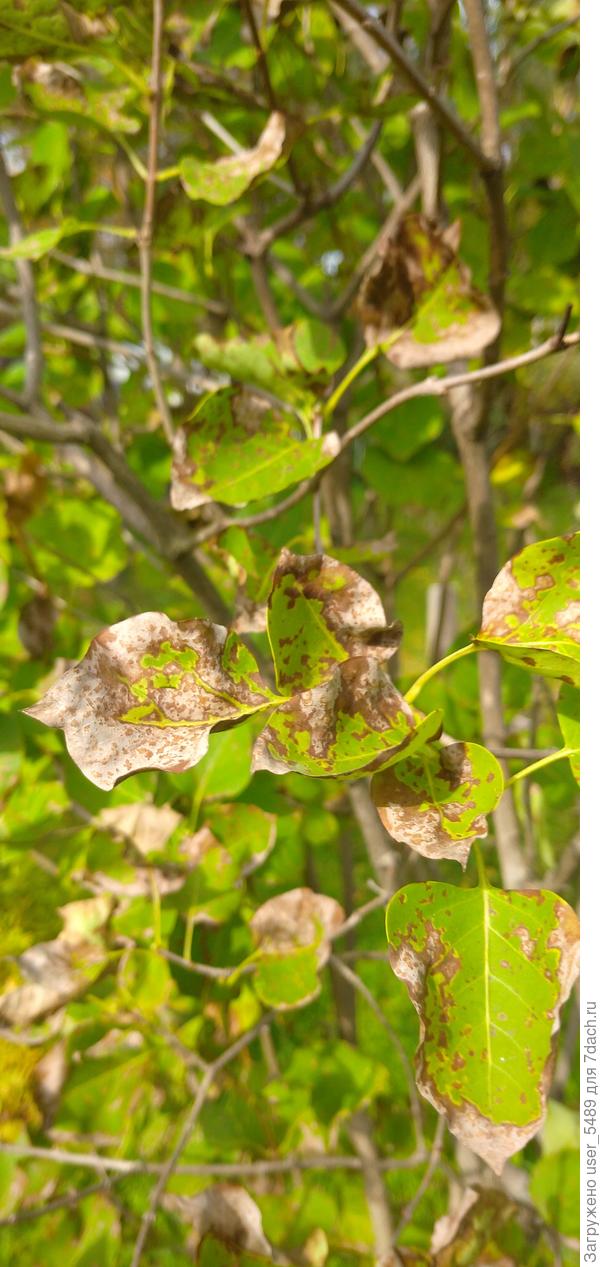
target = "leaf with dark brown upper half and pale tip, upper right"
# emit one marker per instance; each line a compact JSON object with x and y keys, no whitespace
{"x":421,"y":284}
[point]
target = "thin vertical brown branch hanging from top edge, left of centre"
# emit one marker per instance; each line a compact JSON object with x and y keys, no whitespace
{"x":146,"y":231}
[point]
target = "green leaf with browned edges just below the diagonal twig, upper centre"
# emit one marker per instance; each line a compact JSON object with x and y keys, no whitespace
{"x":237,"y":449}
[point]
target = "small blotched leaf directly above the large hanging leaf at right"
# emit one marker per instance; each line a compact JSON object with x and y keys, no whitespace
{"x":437,"y":803}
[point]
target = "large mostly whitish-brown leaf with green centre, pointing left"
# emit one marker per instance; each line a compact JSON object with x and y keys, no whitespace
{"x":147,"y":694}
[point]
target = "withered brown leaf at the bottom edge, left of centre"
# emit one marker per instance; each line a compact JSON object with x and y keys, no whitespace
{"x":226,"y":1212}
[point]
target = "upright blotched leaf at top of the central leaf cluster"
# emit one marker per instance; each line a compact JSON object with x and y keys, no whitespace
{"x":320,"y":615}
